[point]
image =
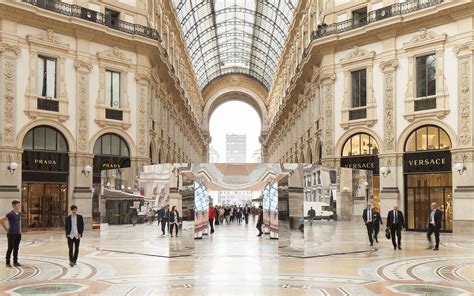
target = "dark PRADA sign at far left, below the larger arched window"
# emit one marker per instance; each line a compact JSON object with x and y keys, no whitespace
{"x":45,"y":161}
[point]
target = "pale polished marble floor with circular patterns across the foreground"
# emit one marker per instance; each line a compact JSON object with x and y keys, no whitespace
{"x":233,"y":261}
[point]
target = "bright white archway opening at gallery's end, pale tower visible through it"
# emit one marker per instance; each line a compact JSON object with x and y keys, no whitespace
{"x":235,"y":128}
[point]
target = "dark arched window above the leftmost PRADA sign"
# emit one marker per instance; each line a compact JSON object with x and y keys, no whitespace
{"x":45,"y":138}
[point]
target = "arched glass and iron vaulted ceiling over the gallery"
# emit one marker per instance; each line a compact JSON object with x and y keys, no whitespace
{"x":235,"y":36}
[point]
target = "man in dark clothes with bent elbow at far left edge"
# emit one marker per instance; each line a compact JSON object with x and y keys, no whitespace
{"x":13,"y":232}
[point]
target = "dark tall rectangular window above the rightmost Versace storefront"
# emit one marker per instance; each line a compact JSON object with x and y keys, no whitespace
{"x":426,"y":76}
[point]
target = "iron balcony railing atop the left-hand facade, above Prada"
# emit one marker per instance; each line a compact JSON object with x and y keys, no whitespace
{"x":95,"y":17}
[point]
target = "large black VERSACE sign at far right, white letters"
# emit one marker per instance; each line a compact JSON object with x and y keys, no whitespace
{"x":422,"y":162}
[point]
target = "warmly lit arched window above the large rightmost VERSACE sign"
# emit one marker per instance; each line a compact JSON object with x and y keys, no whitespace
{"x":428,"y":137}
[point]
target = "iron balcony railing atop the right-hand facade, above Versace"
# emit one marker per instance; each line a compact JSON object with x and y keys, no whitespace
{"x":372,"y":17}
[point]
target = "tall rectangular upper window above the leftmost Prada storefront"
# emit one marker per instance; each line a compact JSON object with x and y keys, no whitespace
{"x":46,"y":77}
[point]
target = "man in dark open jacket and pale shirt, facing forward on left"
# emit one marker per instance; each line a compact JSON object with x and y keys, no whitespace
{"x":74,"y":230}
